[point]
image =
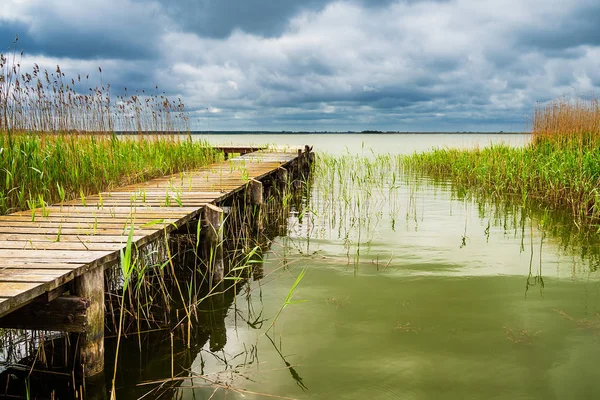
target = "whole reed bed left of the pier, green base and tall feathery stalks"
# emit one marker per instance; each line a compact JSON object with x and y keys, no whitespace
{"x":58,"y":136}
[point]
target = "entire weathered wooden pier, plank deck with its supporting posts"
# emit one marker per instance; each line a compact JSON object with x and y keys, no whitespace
{"x":52,"y":259}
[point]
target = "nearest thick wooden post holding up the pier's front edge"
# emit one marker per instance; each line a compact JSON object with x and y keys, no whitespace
{"x":90,"y":286}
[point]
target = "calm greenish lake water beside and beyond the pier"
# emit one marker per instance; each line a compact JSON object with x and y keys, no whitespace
{"x":409,"y":293}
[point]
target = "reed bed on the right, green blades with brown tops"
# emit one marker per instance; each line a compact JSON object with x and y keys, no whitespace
{"x":560,"y":168}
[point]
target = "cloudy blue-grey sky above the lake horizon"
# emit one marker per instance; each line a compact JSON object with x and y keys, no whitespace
{"x":325,"y":65}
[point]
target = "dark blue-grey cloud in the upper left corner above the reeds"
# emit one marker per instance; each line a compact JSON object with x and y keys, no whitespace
{"x":86,"y":30}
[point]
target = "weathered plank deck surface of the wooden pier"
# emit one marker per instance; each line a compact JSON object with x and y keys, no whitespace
{"x":43,"y":250}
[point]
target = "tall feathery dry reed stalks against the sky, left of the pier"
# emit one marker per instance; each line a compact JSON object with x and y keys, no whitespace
{"x":48,"y":101}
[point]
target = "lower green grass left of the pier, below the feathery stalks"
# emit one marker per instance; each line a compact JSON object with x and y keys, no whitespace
{"x":39,"y":169}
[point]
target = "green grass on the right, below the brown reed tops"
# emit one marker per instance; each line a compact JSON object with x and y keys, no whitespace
{"x":557,"y":175}
